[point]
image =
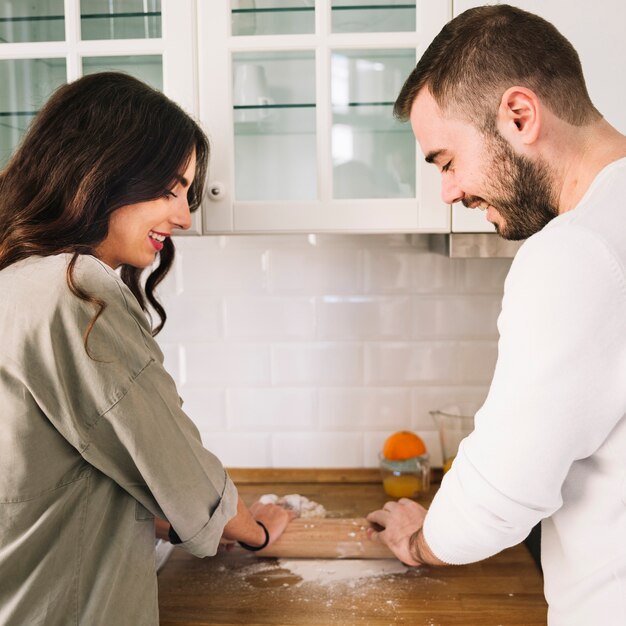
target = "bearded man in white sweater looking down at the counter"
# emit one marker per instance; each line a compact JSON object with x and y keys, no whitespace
{"x":498,"y":103}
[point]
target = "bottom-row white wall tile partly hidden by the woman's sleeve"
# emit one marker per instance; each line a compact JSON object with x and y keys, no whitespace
{"x":239,"y":449}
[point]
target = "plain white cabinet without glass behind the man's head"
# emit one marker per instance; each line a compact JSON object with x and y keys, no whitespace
{"x":596,"y":30}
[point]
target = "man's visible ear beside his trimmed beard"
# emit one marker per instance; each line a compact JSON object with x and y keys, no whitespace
{"x":519,"y":116}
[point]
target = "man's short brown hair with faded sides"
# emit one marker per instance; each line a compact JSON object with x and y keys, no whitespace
{"x":482,"y":52}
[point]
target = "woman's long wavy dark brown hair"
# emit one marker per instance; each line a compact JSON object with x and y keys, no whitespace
{"x":102,"y":142}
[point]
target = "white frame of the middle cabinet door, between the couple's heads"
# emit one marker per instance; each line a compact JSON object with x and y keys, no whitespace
{"x":224,"y":214}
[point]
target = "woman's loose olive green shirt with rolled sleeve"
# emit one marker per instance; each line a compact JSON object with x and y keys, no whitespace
{"x":90,"y":450}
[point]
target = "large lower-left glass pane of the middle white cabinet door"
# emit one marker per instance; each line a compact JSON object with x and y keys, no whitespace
{"x":274,"y":125}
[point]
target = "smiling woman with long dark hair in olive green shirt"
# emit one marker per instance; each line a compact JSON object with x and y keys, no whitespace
{"x":94,"y":443}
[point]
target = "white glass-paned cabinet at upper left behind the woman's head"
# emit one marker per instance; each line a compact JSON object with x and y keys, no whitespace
{"x":46,"y":43}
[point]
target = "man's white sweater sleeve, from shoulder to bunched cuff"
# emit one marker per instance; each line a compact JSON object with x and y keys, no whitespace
{"x":557,"y":392}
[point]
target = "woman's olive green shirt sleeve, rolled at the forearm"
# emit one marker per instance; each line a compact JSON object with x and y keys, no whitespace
{"x":121,"y":411}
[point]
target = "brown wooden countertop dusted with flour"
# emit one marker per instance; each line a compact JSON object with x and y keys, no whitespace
{"x":239,"y":588}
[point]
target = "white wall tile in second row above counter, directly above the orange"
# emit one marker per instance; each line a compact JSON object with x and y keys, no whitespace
{"x":364,"y":409}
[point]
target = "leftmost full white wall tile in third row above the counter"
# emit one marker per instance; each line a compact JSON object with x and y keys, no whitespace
{"x":233,"y":364}
